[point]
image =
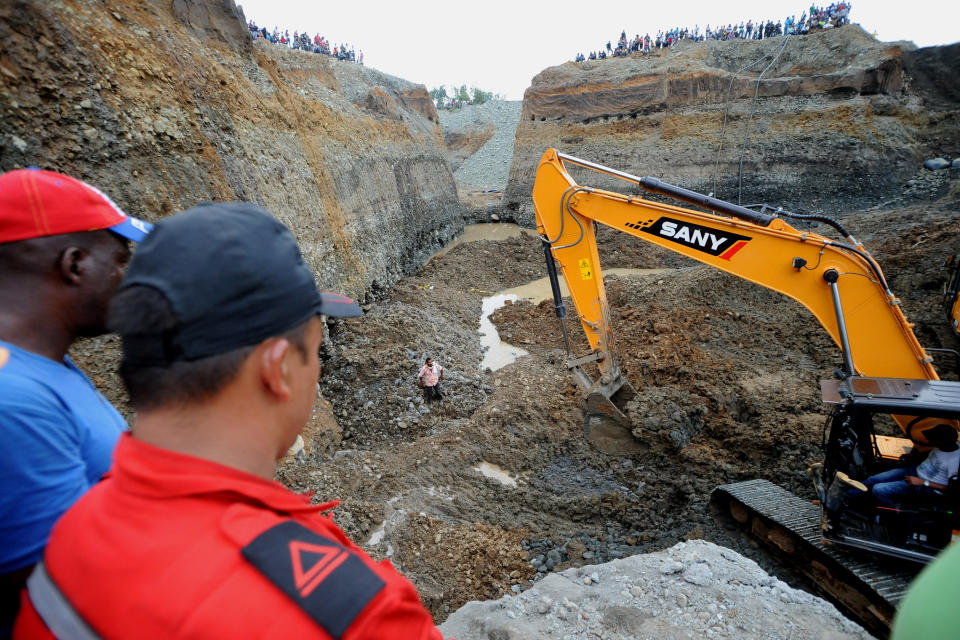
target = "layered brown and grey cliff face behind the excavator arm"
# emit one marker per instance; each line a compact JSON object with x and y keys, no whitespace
{"x":824,"y":122}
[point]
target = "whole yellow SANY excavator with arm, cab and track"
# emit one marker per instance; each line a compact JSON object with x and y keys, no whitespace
{"x":885,"y":370}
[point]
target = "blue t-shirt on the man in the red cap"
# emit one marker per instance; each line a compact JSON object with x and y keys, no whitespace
{"x":57,"y":435}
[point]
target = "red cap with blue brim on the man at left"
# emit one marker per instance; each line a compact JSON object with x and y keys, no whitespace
{"x":35,"y":203}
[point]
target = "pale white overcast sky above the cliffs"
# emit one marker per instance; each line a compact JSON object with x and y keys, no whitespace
{"x":499,"y":45}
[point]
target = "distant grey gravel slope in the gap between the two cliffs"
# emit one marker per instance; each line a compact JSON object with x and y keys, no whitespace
{"x":489,"y":167}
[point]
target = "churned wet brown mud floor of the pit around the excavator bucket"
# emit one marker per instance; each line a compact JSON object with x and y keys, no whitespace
{"x":733,"y":364}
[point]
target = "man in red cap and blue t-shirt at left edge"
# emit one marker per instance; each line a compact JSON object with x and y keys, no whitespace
{"x":63,"y":248}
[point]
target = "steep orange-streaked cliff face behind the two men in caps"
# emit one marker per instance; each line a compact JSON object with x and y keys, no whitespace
{"x":164,"y":105}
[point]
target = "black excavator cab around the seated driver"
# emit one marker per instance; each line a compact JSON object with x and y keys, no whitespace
{"x":919,"y":527}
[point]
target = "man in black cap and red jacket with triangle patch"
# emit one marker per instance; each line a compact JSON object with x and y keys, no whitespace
{"x":190,"y":536}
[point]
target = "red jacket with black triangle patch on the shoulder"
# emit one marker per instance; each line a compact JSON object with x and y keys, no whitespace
{"x":169,"y":545}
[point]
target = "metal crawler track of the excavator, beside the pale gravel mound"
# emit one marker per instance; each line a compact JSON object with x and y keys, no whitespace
{"x":867,"y":589}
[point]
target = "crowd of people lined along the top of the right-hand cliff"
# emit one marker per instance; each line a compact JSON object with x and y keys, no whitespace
{"x":834,"y":15}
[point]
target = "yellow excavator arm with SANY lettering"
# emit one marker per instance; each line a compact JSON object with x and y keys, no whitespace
{"x":838,"y":282}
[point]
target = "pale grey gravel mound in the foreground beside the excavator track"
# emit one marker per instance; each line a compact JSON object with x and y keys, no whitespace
{"x":693,"y":590}
